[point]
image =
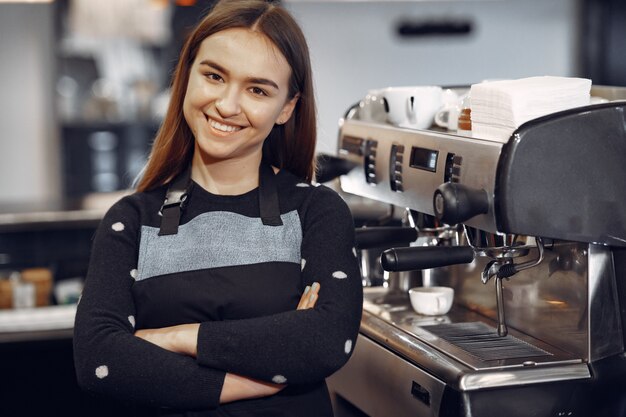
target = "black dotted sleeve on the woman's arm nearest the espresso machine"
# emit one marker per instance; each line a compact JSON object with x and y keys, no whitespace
{"x":300,"y":346}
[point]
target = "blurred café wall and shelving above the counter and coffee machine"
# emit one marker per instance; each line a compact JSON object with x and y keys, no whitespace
{"x":84,"y":83}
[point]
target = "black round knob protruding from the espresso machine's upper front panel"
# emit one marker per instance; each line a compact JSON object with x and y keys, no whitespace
{"x":455,"y":203}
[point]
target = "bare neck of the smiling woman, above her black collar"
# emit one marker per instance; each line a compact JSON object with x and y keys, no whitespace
{"x":226,"y":177}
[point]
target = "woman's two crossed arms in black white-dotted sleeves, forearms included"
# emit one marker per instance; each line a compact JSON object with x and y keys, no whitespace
{"x":112,"y":360}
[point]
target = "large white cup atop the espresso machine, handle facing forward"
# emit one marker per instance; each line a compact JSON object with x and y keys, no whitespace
{"x":412,"y":107}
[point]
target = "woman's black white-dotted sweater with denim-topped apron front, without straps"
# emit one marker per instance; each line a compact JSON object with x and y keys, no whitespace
{"x":237,"y":277}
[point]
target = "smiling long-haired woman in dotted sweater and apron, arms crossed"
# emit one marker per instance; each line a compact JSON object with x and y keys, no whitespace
{"x":227,"y":283}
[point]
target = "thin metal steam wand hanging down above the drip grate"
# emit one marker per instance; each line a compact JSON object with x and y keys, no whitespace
{"x":503,"y":267}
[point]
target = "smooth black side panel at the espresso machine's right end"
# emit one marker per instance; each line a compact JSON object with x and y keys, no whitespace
{"x":563,"y":176}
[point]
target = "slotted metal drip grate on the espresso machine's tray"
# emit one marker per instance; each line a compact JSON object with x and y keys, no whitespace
{"x":483,"y":342}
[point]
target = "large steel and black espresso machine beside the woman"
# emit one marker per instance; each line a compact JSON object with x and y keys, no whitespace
{"x":530,"y":233}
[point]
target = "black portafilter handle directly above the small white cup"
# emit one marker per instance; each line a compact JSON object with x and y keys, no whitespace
{"x":425,"y":257}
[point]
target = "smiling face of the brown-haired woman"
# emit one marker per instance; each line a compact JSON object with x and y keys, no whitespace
{"x":237,"y":91}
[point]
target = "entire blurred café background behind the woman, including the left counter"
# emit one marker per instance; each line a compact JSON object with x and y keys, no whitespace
{"x":84,"y":85}
